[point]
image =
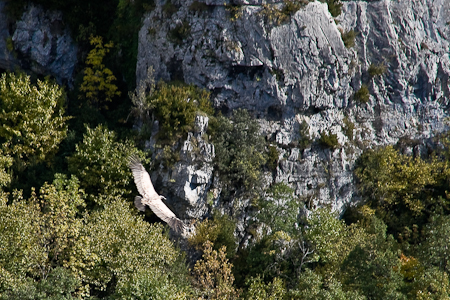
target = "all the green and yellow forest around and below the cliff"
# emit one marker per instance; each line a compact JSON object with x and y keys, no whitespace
{"x":69,"y":229}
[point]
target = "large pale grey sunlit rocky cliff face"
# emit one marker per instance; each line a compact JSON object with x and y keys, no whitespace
{"x":295,"y":68}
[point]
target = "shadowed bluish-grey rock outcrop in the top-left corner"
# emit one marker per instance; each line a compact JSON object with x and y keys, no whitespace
{"x":38,"y":42}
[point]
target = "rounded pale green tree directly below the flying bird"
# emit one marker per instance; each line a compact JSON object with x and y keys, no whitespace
{"x":127,"y":252}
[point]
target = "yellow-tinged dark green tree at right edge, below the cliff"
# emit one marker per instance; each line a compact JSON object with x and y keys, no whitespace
{"x":403,"y":190}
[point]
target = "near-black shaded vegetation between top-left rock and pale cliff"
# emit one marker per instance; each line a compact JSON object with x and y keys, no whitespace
{"x":118,"y":21}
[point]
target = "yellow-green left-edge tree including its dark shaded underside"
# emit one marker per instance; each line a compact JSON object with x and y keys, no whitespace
{"x":34,"y":126}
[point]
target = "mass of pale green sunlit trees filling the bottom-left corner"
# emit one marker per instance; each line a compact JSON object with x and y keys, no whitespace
{"x":51,"y":248}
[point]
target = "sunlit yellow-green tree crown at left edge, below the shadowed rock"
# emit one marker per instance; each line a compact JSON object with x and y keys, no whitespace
{"x":32,"y":118}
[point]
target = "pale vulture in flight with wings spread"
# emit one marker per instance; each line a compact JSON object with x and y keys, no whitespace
{"x":149,"y":197}
